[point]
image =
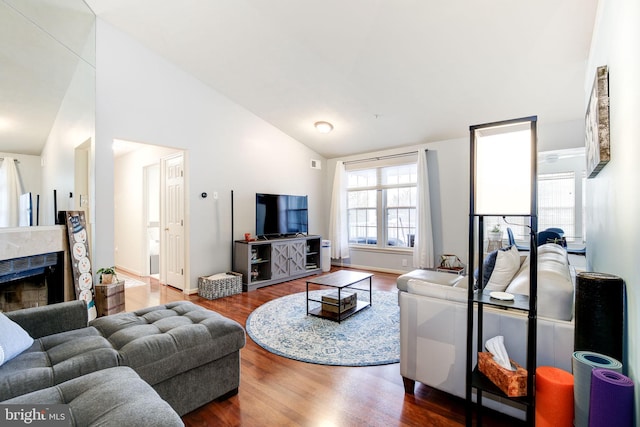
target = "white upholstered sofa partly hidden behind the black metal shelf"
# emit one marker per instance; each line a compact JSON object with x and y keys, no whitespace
{"x":433,"y":322}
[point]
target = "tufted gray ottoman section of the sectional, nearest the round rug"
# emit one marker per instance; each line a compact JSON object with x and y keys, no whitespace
{"x":188,"y":354}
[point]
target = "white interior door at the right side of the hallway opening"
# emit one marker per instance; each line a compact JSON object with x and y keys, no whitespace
{"x":174,"y":220}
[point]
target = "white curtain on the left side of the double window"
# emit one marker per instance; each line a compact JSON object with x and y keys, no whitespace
{"x":338,"y":232}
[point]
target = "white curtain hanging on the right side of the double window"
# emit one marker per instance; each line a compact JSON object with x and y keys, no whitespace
{"x":423,"y":246}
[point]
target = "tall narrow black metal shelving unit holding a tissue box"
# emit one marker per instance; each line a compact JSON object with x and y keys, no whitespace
{"x":475,"y":380}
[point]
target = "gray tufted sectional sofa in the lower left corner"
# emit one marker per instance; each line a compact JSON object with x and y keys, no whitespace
{"x":146,"y":367}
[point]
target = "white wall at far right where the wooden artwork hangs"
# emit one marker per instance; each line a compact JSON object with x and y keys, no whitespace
{"x":613,"y":200}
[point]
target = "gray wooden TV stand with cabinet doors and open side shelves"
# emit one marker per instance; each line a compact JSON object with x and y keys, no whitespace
{"x":267,"y":262}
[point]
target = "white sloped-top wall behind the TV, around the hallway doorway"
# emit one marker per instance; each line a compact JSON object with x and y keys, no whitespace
{"x":141,"y":97}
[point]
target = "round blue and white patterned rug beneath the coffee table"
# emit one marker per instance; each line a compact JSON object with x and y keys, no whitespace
{"x":369,"y":337}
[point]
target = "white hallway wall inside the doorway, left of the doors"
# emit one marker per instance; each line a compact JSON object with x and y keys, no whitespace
{"x":130,"y":231}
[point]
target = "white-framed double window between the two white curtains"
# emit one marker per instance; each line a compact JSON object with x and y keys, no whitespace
{"x":381,"y":205}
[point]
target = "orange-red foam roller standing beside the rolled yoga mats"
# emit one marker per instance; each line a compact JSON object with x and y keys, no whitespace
{"x":554,"y":397}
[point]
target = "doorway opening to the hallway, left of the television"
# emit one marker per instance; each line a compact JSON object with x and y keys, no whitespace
{"x":146,"y":198}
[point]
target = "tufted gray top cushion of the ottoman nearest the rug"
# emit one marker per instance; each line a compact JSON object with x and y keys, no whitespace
{"x":164,"y":341}
